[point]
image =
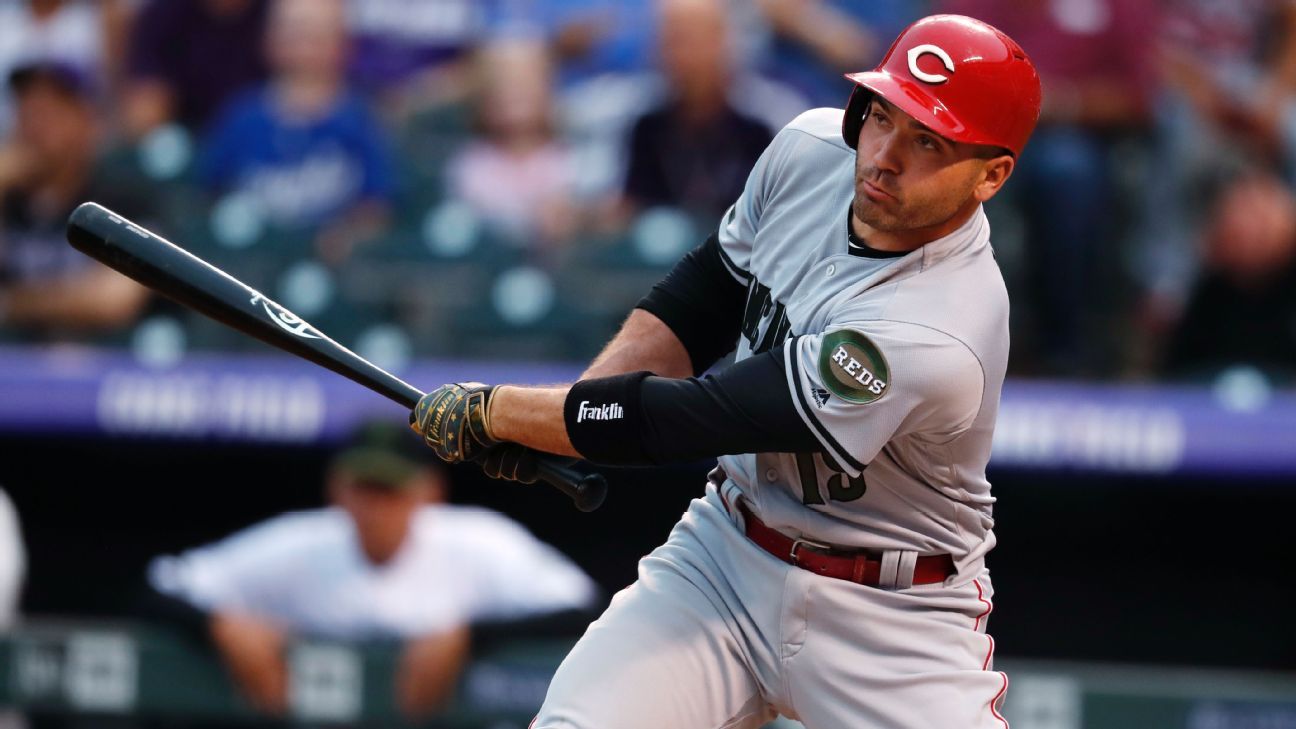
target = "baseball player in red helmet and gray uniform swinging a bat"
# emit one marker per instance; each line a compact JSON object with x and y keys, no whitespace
{"x":834,"y":571}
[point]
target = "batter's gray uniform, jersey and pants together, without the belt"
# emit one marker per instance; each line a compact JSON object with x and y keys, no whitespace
{"x":896,"y":365}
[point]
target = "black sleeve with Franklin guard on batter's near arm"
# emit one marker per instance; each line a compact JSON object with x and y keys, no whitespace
{"x":640,"y":420}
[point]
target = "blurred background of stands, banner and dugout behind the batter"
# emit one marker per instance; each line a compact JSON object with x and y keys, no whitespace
{"x":483,"y":190}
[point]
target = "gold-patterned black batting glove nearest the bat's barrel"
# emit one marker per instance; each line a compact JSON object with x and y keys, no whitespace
{"x":454,"y":421}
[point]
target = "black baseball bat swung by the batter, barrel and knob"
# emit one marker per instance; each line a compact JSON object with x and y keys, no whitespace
{"x":168,"y":269}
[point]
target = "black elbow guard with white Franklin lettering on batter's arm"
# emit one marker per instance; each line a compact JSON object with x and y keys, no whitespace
{"x":603,"y":418}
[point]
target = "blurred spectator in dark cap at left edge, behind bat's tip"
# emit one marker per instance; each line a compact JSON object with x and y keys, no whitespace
{"x":47,"y":168}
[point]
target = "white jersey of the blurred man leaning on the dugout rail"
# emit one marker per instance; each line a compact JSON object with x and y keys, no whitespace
{"x":308,"y":573}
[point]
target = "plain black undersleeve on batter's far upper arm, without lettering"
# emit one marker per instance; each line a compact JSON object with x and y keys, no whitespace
{"x":702,"y":300}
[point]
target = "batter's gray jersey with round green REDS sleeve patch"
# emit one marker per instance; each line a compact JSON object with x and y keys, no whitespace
{"x":896,"y":364}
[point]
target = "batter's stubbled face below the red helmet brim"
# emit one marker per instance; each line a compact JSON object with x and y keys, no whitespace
{"x":916,"y":186}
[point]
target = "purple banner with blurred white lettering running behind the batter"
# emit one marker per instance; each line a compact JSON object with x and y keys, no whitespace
{"x":1154,"y":430}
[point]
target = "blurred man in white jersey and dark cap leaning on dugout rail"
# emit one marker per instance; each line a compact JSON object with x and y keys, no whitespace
{"x":387,"y":561}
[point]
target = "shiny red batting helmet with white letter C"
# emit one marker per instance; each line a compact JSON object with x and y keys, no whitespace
{"x":960,"y":77}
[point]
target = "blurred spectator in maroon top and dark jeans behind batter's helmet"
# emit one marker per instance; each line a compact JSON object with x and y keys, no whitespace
{"x":1097,"y":68}
